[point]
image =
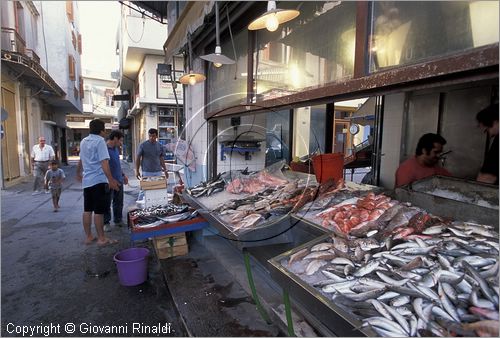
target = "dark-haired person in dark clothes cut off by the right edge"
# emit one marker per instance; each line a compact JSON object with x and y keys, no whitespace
{"x":488,"y":122}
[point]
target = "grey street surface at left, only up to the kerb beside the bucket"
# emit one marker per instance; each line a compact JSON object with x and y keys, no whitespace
{"x":50,"y":277}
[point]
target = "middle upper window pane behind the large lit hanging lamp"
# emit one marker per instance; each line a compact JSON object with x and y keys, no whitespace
{"x":314,"y":49}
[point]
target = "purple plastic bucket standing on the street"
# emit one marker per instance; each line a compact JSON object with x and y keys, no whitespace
{"x":132,"y":266}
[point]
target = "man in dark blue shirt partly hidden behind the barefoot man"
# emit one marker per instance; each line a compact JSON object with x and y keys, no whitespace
{"x":114,"y":142}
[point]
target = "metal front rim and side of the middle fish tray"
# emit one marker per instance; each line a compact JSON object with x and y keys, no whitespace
{"x":274,"y":232}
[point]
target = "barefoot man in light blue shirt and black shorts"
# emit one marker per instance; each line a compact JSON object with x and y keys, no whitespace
{"x":96,"y":181}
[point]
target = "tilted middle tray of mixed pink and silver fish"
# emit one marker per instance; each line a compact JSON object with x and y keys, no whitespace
{"x":253,"y":209}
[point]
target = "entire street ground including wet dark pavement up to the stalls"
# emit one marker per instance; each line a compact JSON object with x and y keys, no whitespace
{"x":50,"y":279}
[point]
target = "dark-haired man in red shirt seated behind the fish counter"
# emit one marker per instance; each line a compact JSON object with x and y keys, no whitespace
{"x":425,"y":163}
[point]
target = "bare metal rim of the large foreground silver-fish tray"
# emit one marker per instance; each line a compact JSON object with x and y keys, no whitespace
{"x":335,"y":318}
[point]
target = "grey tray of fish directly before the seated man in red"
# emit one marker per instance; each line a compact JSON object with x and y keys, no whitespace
{"x":422,"y":193}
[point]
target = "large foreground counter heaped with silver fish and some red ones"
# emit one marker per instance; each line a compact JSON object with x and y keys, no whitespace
{"x":404,"y":273}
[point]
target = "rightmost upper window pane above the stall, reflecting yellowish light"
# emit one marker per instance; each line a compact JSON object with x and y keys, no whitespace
{"x":408,"y":31}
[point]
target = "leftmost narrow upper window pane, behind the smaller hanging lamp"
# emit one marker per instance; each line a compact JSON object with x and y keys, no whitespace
{"x":227,"y":85}
